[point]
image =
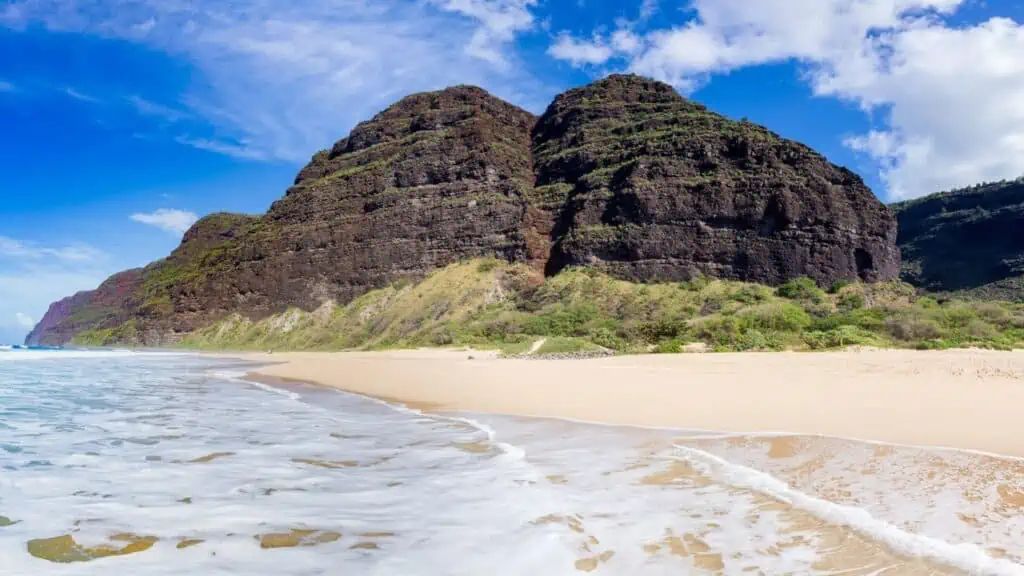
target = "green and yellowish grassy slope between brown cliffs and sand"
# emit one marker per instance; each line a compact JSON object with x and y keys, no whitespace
{"x":494,"y":305}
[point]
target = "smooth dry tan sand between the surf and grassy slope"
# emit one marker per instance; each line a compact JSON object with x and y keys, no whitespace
{"x":957,"y":399}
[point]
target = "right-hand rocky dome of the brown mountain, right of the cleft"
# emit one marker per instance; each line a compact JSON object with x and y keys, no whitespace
{"x":659,"y":188}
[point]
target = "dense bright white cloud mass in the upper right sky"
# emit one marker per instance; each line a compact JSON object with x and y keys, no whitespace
{"x":951,"y":98}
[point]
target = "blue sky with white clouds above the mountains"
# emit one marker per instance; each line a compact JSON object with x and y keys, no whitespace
{"x":123,"y":121}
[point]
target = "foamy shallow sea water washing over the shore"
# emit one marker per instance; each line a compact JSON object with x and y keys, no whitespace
{"x":134,"y":464}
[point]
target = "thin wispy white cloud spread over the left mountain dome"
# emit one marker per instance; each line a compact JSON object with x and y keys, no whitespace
{"x":278,"y":79}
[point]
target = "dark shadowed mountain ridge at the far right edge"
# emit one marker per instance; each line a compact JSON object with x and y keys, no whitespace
{"x":969,"y":241}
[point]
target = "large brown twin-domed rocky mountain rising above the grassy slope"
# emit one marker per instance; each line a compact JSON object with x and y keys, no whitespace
{"x":624,"y":175}
